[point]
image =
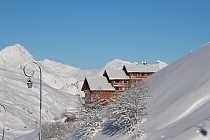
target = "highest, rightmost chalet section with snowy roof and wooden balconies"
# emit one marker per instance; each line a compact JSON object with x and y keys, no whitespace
{"x":138,"y":72}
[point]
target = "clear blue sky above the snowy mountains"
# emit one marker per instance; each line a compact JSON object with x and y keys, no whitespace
{"x":89,"y":33}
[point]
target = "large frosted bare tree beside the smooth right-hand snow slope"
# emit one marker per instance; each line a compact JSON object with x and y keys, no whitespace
{"x":130,"y":109}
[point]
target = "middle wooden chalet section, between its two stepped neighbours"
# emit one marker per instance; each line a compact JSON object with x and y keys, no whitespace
{"x":118,"y":79}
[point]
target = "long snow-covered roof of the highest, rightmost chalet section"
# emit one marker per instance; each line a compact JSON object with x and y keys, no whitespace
{"x":141,"y":68}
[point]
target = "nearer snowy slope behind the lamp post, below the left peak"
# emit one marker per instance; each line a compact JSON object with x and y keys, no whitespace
{"x":22,"y":104}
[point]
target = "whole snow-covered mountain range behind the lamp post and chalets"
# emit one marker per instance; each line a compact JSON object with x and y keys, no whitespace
{"x":60,"y":84}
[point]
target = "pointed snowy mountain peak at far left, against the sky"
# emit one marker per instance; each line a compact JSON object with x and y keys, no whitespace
{"x":15,"y":55}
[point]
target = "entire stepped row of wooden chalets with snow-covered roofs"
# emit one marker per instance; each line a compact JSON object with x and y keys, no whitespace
{"x":118,"y":80}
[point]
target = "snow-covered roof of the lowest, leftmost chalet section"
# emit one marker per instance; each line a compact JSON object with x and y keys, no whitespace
{"x":99,"y":83}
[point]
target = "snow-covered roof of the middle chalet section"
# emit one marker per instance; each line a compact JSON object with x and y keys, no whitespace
{"x":116,"y":74}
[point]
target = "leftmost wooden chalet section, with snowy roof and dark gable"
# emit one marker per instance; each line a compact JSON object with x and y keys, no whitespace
{"x":95,"y":88}
